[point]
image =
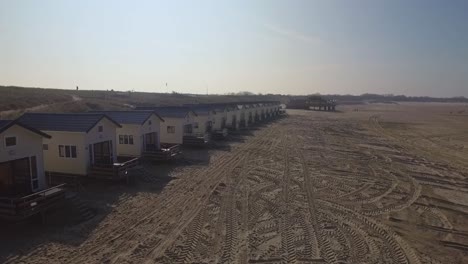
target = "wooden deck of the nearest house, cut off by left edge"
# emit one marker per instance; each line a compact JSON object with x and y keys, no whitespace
{"x":19,"y":208}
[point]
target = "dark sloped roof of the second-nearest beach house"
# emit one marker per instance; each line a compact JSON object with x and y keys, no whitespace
{"x":70,"y":122}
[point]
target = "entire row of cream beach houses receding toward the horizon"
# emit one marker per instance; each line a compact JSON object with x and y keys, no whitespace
{"x":41,"y":151}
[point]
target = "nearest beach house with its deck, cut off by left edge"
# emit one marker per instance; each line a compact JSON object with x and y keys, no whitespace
{"x":24,"y":190}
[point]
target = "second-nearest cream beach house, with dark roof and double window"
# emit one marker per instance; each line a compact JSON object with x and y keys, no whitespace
{"x":82,"y":144}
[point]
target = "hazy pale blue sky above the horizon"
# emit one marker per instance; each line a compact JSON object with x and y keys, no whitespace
{"x":413,"y":47}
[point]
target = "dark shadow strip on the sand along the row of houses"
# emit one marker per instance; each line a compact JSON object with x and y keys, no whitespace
{"x":97,"y":199}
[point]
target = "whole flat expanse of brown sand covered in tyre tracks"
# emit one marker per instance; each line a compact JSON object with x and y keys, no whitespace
{"x":378,"y":183}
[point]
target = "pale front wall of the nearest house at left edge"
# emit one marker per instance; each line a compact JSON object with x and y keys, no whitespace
{"x":28,"y":145}
